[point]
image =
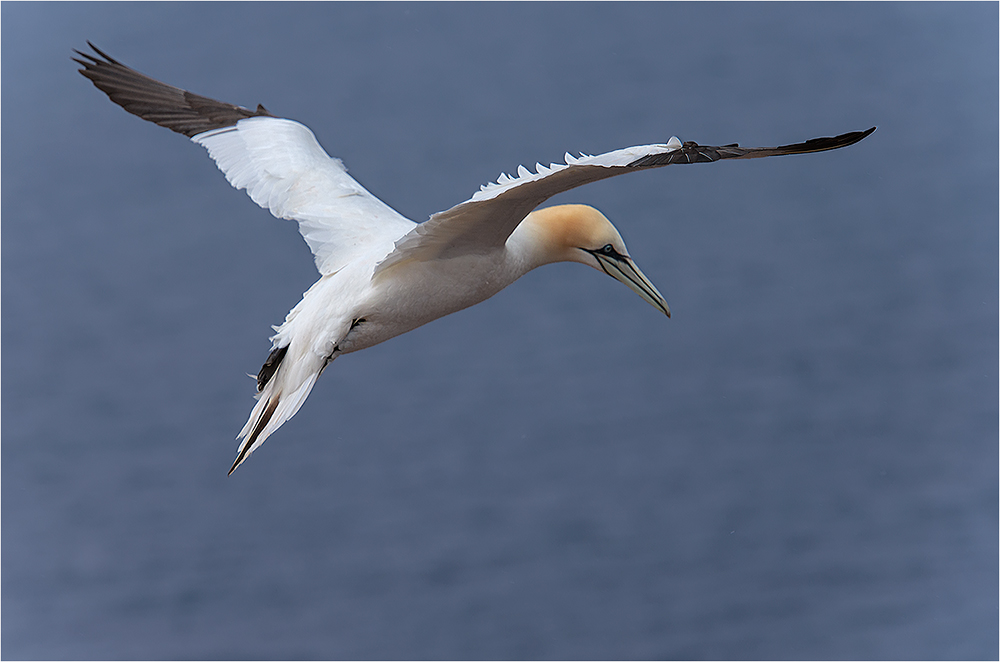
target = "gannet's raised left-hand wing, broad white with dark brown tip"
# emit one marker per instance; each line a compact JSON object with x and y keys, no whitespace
{"x":278,"y":161}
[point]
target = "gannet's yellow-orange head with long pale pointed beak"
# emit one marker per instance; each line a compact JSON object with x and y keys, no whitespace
{"x":579,"y":233}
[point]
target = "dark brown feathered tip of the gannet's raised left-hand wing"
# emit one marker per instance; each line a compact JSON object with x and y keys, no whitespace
{"x":166,"y":105}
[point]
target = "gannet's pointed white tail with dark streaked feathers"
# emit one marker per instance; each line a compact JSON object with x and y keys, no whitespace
{"x":284,"y":383}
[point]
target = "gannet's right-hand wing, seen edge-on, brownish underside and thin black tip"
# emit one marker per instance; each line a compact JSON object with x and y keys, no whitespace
{"x":483,"y":223}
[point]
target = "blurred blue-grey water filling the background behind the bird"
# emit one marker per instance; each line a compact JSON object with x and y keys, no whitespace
{"x":801,"y":463}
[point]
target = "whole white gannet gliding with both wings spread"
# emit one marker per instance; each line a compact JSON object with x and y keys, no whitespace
{"x":381,"y":274}
